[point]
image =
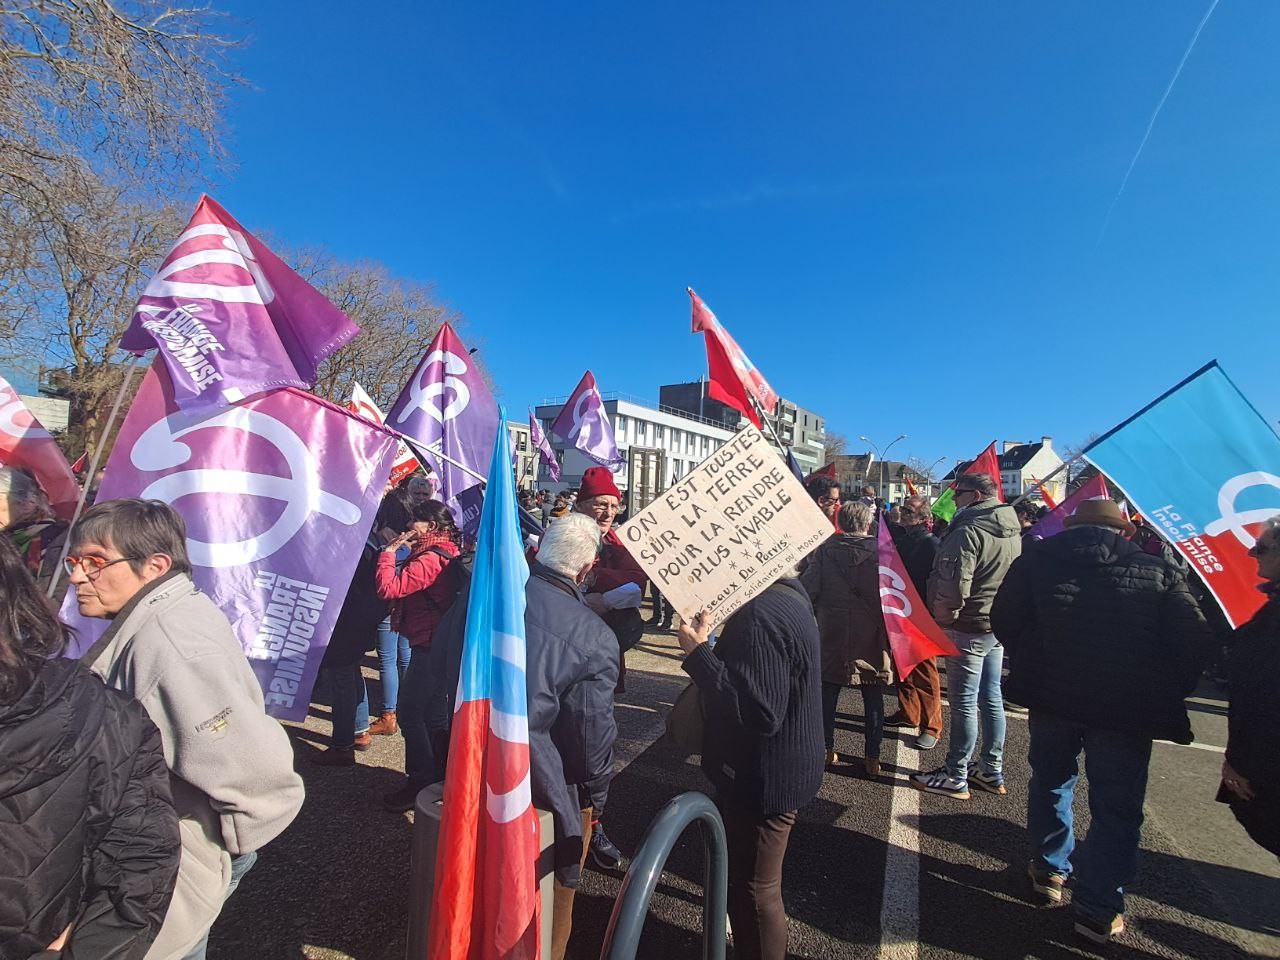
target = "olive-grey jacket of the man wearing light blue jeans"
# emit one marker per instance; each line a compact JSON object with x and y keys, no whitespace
{"x":979,"y":548}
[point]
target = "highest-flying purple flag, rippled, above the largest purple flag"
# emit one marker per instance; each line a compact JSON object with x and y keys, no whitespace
{"x":231,"y":319}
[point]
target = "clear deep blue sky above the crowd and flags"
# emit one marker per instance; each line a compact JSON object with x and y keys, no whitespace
{"x":897,"y":209}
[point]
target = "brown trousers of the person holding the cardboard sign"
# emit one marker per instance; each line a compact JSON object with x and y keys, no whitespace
{"x":757,"y":847}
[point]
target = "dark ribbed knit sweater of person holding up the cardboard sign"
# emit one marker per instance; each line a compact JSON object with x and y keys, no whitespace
{"x":761,"y":689}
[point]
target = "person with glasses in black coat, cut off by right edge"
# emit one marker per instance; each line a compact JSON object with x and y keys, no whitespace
{"x":1251,"y":772}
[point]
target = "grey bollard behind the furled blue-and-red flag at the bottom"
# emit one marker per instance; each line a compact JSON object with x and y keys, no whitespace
{"x":422,"y":877}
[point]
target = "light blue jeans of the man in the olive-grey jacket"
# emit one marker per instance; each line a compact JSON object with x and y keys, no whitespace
{"x":973,"y":689}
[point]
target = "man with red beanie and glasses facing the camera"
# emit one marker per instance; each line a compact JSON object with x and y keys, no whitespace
{"x":614,"y":591}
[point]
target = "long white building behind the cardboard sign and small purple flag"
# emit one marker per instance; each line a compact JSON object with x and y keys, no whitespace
{"x":660,"y":445}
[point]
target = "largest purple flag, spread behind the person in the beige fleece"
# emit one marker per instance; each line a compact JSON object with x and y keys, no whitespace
{"x":280,"y":495}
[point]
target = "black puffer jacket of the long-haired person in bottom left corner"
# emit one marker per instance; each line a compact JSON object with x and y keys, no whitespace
{"x":89,"y":835}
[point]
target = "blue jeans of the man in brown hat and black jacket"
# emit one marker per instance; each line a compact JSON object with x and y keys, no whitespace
{"x":1117,"y":767}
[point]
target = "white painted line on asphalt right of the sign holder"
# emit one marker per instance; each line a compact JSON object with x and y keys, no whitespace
{"x":900,"y":908}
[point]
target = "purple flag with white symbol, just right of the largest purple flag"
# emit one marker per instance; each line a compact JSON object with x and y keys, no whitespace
{"x":449,"y":413}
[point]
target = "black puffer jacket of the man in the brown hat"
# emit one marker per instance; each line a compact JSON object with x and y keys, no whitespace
{"x":1101,"y":633}
